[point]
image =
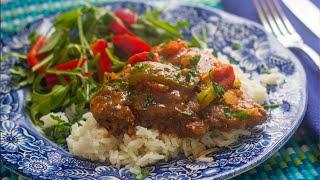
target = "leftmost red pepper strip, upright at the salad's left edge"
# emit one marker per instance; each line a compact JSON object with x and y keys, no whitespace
{"x":32,"y":56}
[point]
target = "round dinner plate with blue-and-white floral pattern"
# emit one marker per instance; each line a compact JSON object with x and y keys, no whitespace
{"x":27,"y":152}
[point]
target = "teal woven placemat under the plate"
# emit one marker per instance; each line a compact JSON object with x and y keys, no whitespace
{"x":299,"y":158}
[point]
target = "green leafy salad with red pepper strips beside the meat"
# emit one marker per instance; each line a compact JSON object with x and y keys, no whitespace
{"x":83,"y":47}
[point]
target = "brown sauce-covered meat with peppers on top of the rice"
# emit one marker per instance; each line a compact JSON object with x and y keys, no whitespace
{"x":168,"y":96}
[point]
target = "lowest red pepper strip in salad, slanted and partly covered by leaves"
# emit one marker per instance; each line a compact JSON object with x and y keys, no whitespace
{"x":53,"y":79}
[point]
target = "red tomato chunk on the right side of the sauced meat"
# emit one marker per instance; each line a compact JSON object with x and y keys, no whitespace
{"x":223,"y":74}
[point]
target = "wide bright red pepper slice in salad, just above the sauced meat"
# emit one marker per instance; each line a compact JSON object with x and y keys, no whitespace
{"x":130,"y":44}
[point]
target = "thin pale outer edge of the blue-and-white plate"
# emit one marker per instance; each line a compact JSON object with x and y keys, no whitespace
{"x":263,"y":156}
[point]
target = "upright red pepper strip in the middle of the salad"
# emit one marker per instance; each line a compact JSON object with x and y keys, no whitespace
{"x":104,"y":62}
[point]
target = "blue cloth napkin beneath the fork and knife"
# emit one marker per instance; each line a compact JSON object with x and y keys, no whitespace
{"x":312,"y":118}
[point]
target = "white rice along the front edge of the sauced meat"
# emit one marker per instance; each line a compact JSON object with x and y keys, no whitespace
{"x":89,"y":140}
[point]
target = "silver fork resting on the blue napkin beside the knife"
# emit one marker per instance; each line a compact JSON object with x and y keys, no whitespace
{"x":275,"y":21}
